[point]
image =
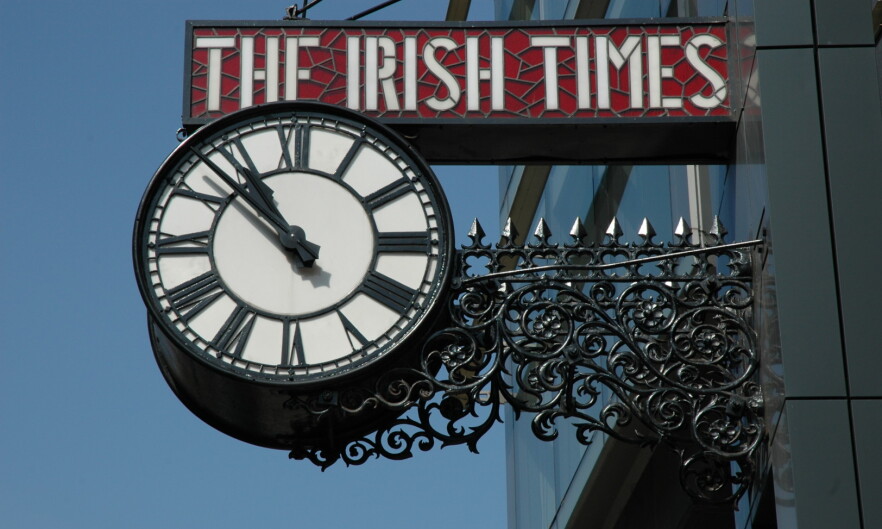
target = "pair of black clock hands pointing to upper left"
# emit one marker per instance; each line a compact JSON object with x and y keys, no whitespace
{"x":260,"y":197}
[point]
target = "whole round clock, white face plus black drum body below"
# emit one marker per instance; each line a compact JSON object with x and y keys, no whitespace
{"x":292,"y":257}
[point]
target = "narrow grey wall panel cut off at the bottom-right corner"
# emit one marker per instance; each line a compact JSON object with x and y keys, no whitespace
{"x":867,"y":433}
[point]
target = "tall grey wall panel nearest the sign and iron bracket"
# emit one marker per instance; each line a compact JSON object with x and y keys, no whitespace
{"x":806,"y":290}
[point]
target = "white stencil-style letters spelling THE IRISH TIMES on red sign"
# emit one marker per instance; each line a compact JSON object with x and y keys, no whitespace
{"x":445,"y":71}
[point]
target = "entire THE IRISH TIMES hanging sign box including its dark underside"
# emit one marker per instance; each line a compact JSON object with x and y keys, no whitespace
{"x":443,"y":84}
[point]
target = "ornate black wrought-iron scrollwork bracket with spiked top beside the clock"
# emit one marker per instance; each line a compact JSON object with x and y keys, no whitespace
{"x":644,"y":342}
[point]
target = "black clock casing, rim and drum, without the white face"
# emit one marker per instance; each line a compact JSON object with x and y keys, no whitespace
{"x":243,"y":402}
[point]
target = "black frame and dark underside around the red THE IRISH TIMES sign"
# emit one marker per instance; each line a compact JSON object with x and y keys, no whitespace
{"x":510,"y":140}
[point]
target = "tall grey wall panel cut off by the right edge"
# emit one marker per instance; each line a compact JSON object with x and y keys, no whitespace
{"x":853,"y":131}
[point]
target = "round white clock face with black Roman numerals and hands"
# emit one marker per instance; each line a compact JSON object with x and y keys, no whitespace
{"x":292,"y":245}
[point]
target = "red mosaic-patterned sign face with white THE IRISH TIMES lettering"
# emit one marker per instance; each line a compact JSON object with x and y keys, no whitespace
{"x":455,"y":72}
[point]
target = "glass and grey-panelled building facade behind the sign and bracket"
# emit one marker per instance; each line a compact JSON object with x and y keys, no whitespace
{"x":804,"y":82}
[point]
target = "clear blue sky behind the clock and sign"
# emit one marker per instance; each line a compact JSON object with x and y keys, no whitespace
{"x":90,"y":435}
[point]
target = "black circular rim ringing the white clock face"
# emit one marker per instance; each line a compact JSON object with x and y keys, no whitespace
{"x":430,"y":307}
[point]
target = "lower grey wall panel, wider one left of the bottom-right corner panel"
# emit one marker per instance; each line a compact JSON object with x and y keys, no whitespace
{"x":822,"y":464}
